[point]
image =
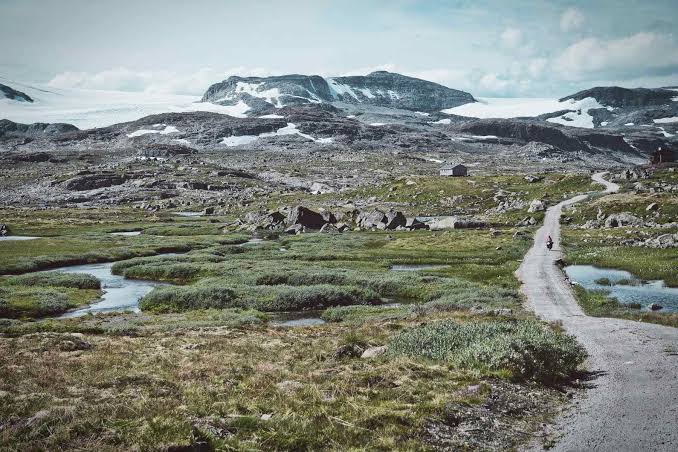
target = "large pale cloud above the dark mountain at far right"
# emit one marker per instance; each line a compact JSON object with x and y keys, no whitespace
{"x":644,"y":53}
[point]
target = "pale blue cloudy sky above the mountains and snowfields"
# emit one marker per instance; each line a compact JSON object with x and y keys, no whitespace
{"x":491,"y":48}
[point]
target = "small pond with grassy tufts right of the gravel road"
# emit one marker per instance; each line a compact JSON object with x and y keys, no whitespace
{"x":638,"y":291}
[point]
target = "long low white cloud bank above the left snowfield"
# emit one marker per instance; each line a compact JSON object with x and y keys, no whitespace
{"x":123,"y":79}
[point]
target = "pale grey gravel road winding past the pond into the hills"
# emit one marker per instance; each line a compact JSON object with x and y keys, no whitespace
{"x":633,"y":402}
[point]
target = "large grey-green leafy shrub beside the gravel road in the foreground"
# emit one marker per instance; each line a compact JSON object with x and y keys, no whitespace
{"x":528,"y":349}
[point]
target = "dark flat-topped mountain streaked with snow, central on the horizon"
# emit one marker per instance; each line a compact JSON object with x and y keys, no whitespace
{"x":381,"y":88}
